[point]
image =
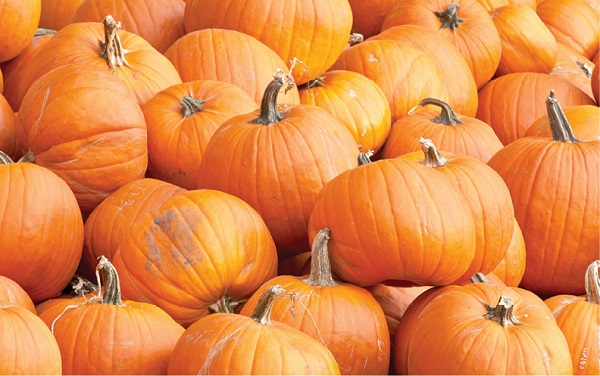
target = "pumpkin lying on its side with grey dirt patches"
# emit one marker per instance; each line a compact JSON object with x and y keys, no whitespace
{"x":194,"y":249}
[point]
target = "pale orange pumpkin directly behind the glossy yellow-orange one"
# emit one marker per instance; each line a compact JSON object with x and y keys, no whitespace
{"x":395,"y":66}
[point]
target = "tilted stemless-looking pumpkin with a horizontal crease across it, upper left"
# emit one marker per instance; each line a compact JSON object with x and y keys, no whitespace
{"x":95,"y":155}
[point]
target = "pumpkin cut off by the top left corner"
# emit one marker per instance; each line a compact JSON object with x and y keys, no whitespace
{"x":18,"y":20}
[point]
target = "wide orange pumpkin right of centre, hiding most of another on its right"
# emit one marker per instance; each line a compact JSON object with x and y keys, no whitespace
{"x":395,"y":219}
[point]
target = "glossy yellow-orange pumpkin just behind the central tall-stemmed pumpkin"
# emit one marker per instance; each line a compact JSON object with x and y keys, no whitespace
{"x":356,"y":101}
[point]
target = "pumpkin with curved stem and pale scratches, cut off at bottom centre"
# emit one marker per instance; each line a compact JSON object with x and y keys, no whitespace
{"x":261,"y":346}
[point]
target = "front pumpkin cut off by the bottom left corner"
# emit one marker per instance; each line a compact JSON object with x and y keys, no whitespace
{"x":28,"y":346}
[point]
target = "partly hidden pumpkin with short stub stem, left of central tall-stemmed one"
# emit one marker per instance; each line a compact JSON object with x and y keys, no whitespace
{"x":179,"y":127}
